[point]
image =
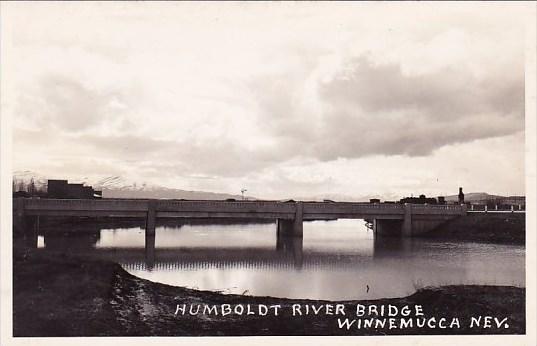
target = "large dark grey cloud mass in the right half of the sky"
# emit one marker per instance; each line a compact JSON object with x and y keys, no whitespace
{"x":376,"y":109}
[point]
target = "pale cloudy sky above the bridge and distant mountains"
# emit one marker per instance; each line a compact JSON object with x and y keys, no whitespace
{"x":281,"y":99}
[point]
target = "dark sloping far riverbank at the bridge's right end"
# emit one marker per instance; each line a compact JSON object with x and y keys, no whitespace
{"x":501,"y":228}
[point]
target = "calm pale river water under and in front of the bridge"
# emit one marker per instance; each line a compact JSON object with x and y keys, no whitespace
{"x":337,"y":260}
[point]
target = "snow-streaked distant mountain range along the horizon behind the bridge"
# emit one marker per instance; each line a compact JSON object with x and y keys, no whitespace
{"x":119,"y":187}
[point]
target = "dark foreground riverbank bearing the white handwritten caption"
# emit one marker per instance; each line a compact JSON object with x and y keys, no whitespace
{"x":59,"y":295}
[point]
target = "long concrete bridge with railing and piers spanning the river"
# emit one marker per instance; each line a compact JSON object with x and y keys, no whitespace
{"x":387,"y":218}
